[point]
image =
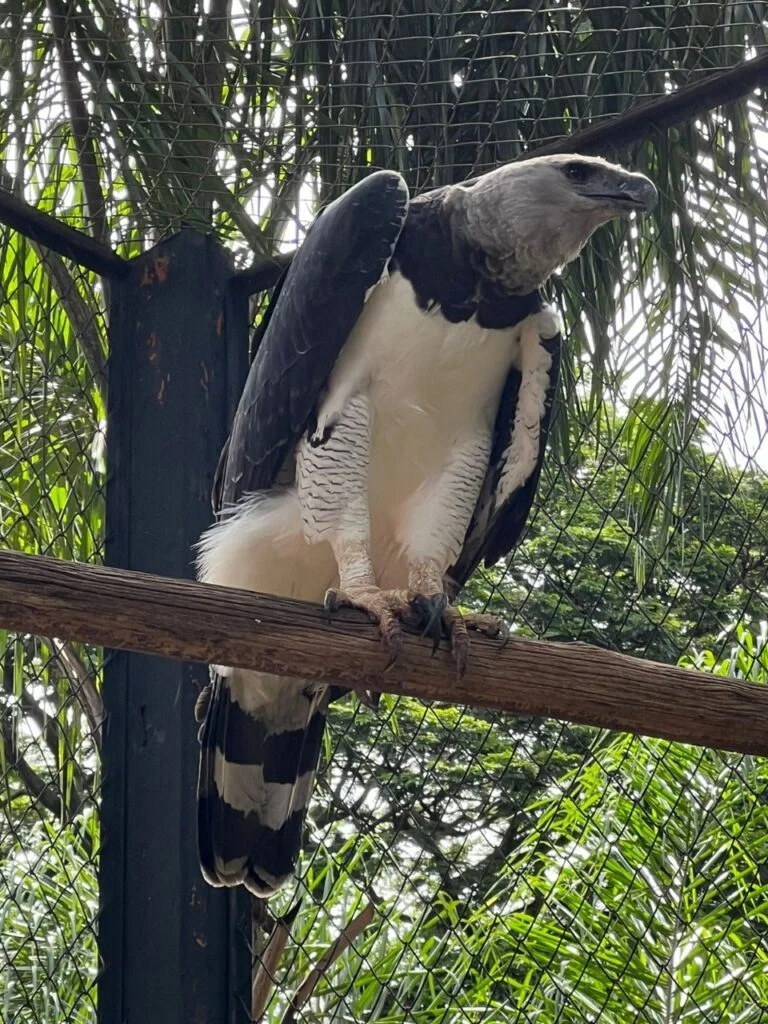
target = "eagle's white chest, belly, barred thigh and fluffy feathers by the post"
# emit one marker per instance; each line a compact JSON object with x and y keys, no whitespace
{"x":410,"y":394}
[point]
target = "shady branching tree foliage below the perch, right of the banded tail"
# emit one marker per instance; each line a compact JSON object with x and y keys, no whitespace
{"x":439,"y":791}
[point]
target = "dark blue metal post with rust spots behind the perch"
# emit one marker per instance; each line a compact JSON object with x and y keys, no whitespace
{"x":174,"y":950}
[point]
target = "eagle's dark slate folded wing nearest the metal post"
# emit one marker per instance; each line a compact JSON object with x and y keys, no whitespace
{"x":346,"y":254}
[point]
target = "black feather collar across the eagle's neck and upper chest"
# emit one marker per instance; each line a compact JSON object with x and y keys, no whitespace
{"x":447,"y":273}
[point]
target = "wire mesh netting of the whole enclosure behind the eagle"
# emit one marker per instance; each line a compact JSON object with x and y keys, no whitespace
{"x":508,"y":869}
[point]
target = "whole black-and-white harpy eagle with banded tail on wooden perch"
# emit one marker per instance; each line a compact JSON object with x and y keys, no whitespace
{"x":390,"y":438}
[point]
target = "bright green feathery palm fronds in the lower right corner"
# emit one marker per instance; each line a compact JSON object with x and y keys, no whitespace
{"x":649,"y":894}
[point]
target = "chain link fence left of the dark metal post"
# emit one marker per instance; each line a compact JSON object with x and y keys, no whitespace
{"x":52,"y":479}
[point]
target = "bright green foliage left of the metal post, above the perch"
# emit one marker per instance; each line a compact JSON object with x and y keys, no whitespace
{"x":53,"y":416}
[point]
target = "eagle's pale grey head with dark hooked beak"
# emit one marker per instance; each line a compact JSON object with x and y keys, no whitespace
{"x":532,"y":218}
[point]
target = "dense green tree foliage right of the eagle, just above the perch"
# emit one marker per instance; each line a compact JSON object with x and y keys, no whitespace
{"x":576,"y":576}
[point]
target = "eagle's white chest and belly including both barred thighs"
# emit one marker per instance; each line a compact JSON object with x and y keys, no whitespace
{"x":416,"y":398}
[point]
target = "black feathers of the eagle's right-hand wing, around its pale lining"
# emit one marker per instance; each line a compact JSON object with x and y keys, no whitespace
{"x":493,"y":533}
